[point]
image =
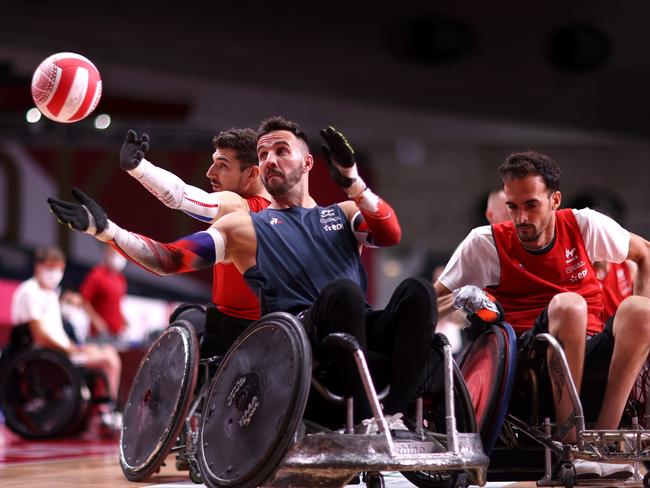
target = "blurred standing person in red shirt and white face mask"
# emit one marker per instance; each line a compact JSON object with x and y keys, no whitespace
{"x":102,"y":291}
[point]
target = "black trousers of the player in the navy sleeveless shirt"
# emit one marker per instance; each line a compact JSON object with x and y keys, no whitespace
{"x":396,"y":340}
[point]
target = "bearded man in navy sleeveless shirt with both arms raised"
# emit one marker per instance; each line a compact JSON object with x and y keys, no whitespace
{"x":302,"y":257}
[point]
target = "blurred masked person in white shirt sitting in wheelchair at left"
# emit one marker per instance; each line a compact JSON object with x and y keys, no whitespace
{"x":36,"y":304}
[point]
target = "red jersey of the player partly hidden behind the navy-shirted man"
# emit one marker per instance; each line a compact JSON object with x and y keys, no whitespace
{"x":230,"y":293}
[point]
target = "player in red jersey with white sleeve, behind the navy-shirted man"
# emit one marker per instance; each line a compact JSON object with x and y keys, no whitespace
{"x":236,"y":185}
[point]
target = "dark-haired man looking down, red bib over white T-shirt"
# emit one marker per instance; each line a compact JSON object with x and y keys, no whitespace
{"x":539,"y":267}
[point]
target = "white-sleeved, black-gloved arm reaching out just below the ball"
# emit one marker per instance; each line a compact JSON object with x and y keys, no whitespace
{"x":169,"y":188}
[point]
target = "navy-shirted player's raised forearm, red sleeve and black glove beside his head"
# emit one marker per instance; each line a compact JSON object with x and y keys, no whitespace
{"x":374,"y":222}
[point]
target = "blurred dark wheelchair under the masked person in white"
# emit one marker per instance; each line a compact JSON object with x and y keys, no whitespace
{"x":42,"y":393}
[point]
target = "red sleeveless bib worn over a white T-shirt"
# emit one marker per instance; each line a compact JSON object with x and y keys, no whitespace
{"x":529,"y":281}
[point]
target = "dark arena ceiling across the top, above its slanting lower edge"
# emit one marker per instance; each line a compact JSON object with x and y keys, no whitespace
{"x":579,"y":64}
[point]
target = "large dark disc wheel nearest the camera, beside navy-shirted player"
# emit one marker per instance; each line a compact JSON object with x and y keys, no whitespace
{"x":255,"y":404}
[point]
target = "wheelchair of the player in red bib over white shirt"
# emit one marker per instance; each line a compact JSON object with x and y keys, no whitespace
{"x":519,"y":426}
